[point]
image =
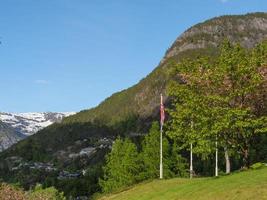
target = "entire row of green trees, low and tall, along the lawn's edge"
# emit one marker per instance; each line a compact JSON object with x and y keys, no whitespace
{"x":216,"y":104}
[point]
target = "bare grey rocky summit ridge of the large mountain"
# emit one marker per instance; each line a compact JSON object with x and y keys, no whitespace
{"x":247,"y":30}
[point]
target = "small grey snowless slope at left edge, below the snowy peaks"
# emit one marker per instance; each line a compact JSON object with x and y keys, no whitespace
{"x":8,"y":136}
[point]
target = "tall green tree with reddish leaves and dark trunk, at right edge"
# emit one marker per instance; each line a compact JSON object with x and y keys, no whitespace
{"x":239,"y":83}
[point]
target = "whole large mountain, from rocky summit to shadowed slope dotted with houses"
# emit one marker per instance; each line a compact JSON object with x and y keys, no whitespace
{"x":126,"y":113}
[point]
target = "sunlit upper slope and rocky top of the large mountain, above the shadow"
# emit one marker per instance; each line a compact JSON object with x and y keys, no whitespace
{"x":142,"y":99}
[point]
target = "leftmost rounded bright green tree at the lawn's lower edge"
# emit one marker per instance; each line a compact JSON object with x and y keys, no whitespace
{"x":122,"y":166}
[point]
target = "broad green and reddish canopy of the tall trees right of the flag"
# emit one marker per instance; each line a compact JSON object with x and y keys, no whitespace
{"x":214,"y":100}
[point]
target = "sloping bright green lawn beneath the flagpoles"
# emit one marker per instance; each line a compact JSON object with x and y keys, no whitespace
{"x":250,"y":184}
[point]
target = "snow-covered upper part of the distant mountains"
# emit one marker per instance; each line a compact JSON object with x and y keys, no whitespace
{"x":29,"y":123}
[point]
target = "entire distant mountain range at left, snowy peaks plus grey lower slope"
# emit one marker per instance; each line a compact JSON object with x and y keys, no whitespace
{"x":16,"y":126}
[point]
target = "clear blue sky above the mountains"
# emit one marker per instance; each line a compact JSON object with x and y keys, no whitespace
{"x":69,"y":55}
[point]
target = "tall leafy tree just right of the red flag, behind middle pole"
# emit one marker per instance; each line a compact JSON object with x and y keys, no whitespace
{"x":189,"y":122}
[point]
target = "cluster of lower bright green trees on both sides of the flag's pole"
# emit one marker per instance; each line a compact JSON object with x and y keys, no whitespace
{"x":126,"y":164}
